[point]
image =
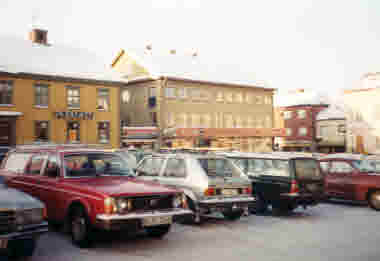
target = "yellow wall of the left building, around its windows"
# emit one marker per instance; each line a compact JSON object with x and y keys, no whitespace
{"x":23,"y":101}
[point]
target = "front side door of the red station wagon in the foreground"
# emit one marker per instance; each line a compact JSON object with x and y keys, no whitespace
{"x":49,"y":191}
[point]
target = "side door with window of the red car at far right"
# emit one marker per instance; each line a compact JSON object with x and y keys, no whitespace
{"x":336,"y":178}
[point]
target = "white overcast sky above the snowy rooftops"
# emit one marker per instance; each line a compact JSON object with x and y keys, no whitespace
{"x":316,"y":44}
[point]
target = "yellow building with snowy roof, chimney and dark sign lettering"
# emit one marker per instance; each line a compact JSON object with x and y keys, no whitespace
{"x":56,"y":94}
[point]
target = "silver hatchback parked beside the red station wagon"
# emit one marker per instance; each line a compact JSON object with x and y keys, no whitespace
{"x":210,"y":183}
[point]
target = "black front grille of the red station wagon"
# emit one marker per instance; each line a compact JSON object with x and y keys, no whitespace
{"x":152,"y":202}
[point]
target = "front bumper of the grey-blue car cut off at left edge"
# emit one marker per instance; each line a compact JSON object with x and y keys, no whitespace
{"x":27,"y":232}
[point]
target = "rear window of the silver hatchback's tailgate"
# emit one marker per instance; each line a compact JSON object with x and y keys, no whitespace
{"x":216,"y":167}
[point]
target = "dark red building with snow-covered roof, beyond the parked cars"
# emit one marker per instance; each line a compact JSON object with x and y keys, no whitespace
{"x":297,"y":111}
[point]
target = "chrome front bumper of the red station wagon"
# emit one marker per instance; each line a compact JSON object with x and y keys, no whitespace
{"x":134,"y":220}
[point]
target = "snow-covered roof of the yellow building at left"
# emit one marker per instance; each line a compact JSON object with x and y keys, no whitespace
{"x":19,"y":56}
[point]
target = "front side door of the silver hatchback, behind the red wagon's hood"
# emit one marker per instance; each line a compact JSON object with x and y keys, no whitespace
{"x":150,"y":168}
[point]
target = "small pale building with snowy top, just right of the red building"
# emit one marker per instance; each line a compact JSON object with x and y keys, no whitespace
{"x":331,"y":130}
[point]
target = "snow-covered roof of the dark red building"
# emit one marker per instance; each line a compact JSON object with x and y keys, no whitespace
{"x":286,"y":99}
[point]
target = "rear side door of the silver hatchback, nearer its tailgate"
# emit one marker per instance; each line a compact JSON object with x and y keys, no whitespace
{"x":175,"y":173}
